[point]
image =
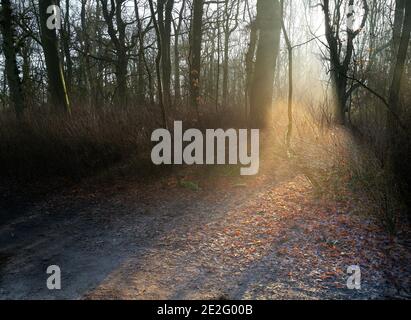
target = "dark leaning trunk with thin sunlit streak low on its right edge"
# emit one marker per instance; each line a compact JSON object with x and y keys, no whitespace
{"x":56,"y":83}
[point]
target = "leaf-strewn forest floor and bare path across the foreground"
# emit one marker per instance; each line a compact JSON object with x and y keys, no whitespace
{"x":199,"y":234}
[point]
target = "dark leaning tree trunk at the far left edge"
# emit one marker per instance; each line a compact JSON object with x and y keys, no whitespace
{"x":12,"y":71}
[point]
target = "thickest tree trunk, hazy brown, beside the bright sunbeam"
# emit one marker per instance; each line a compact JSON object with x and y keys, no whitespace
{"x":269,"y":26}
